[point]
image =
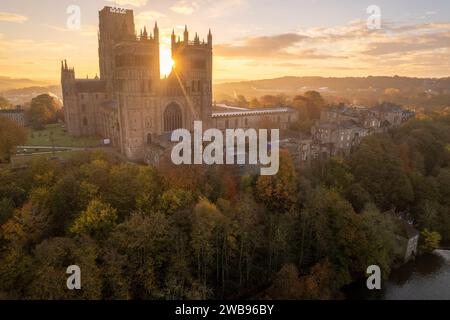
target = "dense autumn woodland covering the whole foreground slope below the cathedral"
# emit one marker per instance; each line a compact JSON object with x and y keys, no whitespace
{"x":193,"y":233}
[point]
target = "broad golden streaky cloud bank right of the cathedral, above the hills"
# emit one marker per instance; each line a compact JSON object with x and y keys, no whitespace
{"x":410,"y":49}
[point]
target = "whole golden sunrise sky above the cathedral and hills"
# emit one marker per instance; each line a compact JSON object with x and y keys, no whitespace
{"x":253,"y":39}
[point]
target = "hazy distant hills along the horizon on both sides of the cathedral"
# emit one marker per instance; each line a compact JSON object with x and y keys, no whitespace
{"x":364,"y":90}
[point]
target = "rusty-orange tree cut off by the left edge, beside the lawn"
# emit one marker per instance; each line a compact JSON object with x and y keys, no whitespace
{"x":11,"y":135}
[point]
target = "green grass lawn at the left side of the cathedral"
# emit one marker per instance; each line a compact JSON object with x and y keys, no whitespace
{"x":41,"y":138}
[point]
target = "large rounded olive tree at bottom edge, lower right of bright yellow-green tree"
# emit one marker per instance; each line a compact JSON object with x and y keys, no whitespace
{"x":136,"y":256}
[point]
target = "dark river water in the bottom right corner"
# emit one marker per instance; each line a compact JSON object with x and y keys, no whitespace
{"x":425,"y":278}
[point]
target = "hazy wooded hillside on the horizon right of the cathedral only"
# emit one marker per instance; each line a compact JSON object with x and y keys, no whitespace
{"x":351,"y":88}
